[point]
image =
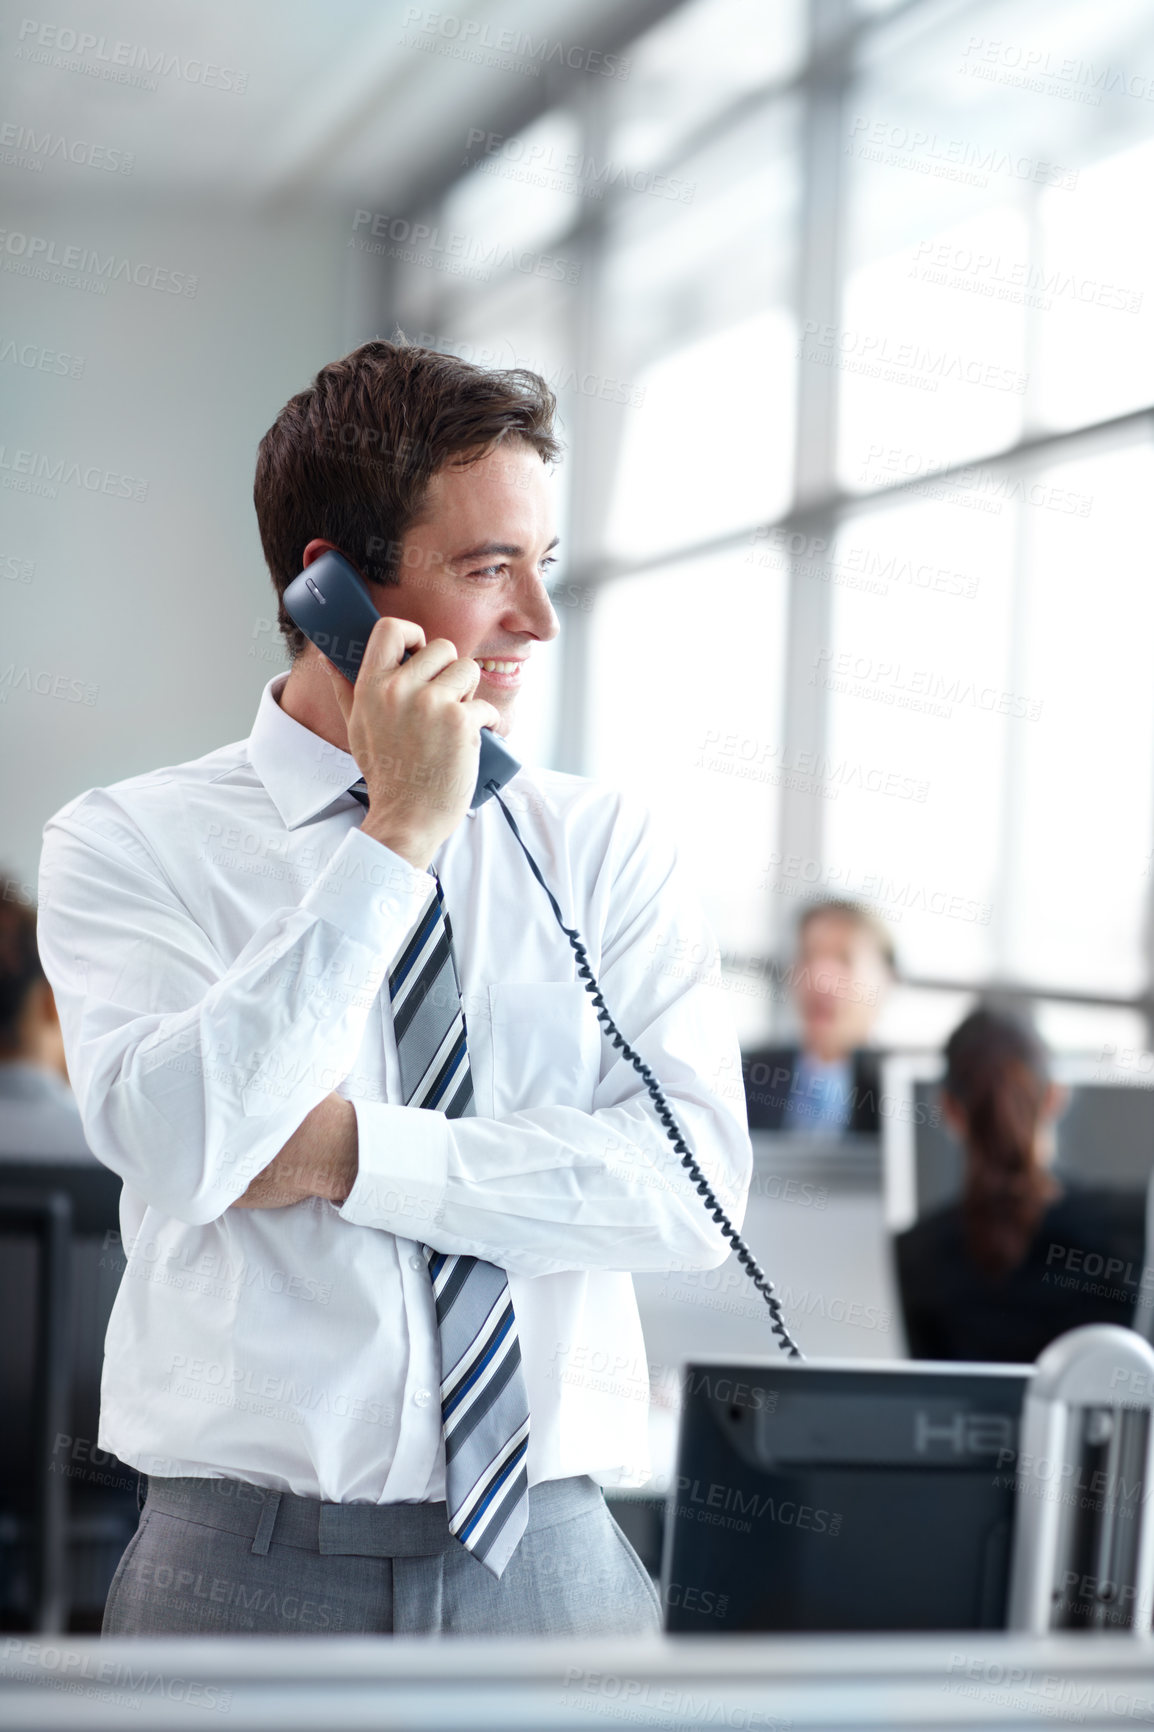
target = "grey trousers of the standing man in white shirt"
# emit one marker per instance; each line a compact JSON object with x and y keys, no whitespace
{"x":223,"y":1556}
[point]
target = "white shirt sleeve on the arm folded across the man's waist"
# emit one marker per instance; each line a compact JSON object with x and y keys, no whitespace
{"x":559,"y":1187}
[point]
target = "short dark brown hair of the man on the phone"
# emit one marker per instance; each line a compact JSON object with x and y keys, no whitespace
{"x":351,"y":458}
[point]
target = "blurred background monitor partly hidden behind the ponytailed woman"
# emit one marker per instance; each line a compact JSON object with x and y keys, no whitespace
{"x":1105,"y":1137}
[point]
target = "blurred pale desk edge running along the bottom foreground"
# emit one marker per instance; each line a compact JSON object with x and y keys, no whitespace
{"x":883,"y":1684}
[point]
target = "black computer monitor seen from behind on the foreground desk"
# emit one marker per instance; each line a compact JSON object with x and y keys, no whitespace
{"x":843,"y":1497}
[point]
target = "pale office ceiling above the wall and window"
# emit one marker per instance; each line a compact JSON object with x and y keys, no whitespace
{"x":335,"y":101}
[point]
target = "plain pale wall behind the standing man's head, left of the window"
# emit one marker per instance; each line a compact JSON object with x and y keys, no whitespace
{"x":164,"y":605}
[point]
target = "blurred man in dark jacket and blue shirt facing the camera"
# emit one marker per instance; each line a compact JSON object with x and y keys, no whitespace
{"x":829,"y":1085}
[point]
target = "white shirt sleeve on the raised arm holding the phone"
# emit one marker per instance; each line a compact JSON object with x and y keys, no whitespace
{"x":193,"y":1073}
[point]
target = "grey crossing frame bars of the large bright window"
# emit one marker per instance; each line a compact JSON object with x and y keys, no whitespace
{"x":836,"y":34}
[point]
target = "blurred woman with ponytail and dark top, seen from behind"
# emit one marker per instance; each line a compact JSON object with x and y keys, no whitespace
{"x":1021,"y":1258}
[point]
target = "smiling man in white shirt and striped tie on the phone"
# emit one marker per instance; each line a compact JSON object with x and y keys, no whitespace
{"x":386,"y":1182}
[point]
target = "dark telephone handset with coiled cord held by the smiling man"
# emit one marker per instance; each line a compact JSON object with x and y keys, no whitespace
{"x":334,"y":609}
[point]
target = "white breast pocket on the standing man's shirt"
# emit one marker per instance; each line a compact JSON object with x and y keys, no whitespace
{"x":547,"y":1045}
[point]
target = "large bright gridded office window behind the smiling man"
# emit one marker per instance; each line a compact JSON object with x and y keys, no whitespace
{"x":850,"y":309}
